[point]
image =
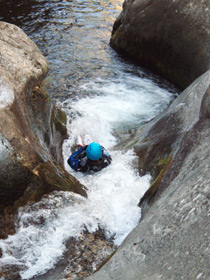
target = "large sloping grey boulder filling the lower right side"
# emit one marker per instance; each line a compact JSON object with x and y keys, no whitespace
{"x":172,"y":239}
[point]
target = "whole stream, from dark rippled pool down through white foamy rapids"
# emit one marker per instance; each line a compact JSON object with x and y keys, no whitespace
{"x":105,"y":97}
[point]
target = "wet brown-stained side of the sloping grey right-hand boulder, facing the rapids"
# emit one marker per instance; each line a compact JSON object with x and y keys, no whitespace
{"x":172,"y":136}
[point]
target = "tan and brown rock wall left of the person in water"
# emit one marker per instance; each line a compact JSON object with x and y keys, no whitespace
{"x":31,"y":129}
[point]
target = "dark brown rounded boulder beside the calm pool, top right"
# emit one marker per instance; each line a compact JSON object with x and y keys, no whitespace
{"x":170,"y":37}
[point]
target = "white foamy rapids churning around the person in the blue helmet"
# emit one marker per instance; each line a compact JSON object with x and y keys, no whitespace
{"x":113,"y":193}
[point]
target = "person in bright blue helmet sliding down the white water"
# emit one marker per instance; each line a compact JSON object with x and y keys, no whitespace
{"x":90,"y":158}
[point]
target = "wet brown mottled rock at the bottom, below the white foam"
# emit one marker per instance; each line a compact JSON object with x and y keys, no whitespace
{"x":83,"y":256}
